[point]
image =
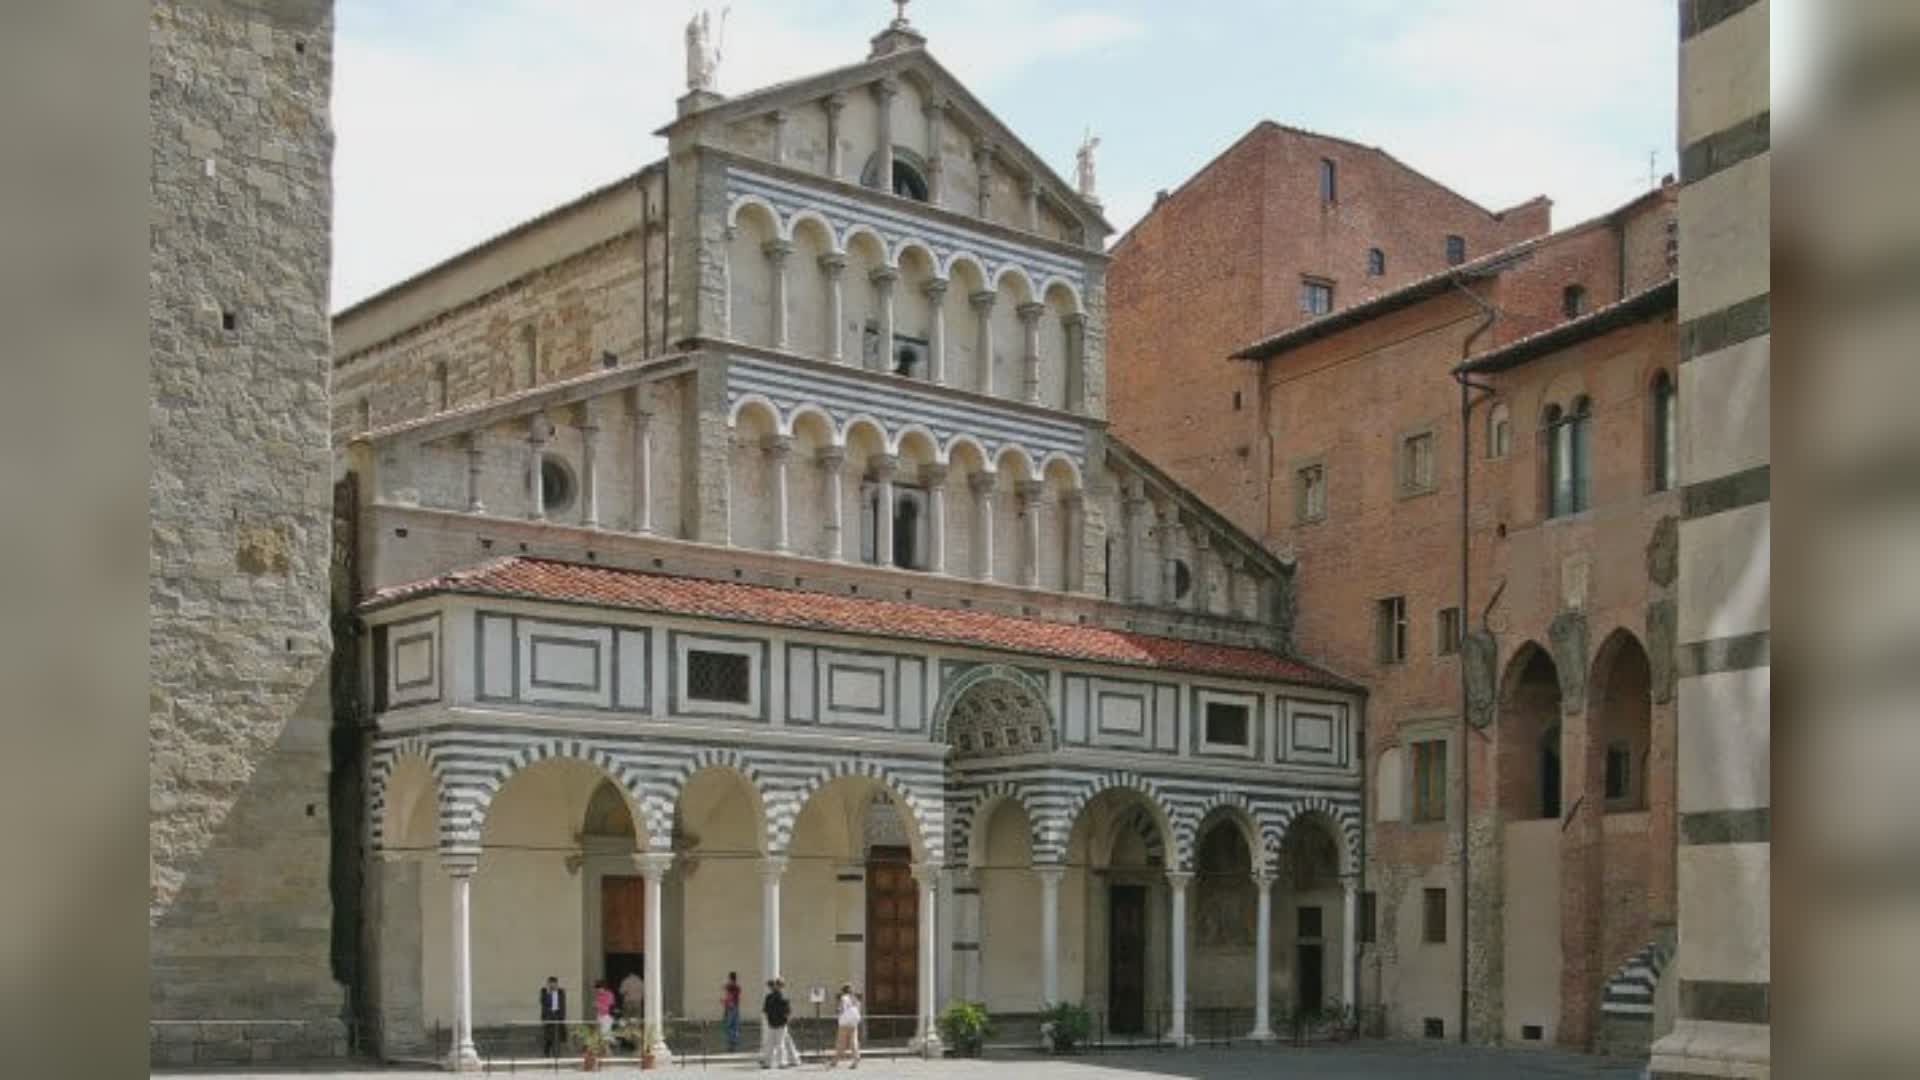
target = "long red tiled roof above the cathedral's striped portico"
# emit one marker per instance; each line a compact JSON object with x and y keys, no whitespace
{"x":575,"y":583}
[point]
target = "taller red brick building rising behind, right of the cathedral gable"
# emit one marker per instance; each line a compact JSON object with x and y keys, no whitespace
{"x":1282,"y":226}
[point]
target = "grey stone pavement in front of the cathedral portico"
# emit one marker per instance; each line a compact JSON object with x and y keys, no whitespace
{"x":1372,"y":1062}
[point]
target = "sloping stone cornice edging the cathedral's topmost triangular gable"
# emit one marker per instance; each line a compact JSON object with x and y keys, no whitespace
{"x":921,"y":62}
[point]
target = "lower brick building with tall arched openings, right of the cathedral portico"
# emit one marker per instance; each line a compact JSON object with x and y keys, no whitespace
{"x":1568,"y":629}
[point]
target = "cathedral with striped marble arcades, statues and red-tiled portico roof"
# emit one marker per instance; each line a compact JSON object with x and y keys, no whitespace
{"x":748,"y":583}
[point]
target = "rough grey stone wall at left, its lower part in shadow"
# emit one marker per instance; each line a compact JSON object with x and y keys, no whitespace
{"x":241,"y":510}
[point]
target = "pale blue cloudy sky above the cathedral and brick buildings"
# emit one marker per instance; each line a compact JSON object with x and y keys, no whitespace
{"x":460,"y":118}
